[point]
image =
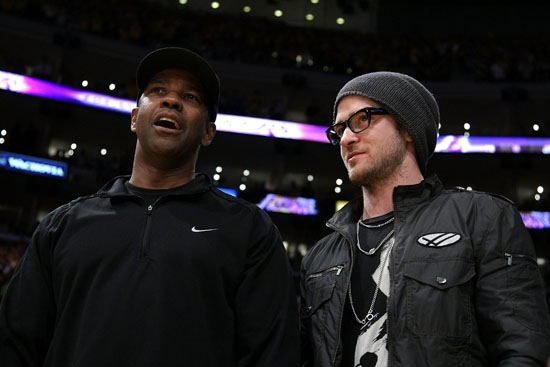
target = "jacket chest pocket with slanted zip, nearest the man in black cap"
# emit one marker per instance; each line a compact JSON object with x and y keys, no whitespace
{"x":319,"y":288}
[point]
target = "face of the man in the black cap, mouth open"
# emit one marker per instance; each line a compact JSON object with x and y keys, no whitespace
{"x":171,"y":121}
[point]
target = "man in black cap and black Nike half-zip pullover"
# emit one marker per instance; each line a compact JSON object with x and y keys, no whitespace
{"x":160,"y":268}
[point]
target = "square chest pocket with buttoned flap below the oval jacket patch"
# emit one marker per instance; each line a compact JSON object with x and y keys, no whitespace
{"x":439,"y":298}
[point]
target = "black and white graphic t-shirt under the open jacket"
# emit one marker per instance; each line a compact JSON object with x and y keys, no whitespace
{"x":366,"y":345}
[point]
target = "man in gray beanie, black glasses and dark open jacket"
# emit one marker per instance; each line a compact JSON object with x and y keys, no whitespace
{"x":415,"y":275}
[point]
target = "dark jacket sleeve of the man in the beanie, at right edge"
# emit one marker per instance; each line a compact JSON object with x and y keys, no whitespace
{"x":510,"y":302}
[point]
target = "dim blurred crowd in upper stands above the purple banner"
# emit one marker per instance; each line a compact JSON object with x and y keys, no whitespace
{"x":253,"y":40}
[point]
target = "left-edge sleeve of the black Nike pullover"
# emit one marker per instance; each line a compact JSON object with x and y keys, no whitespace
{"x":27,"y":312}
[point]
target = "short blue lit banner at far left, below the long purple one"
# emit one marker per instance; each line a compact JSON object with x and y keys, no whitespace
{"x":33,"y":165}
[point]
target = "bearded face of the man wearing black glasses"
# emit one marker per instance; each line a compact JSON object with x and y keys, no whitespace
{"x":376,"y":154}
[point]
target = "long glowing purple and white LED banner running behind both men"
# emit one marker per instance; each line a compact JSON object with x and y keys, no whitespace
{"x":265,"y":127}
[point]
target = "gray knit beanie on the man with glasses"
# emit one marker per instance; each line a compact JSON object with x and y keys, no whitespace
{"x":408,"y":101}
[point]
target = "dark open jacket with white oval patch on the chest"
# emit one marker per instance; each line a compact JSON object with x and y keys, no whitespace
{"x":465,"y":285}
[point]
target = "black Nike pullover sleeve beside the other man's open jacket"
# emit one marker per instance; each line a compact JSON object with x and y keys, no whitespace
{"x":266,"y":306}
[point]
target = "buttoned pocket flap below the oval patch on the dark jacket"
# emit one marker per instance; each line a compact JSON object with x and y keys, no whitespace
{"x":441,"y":274}
